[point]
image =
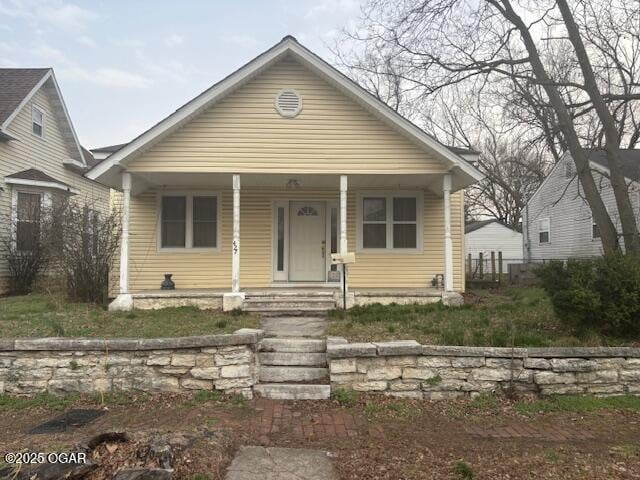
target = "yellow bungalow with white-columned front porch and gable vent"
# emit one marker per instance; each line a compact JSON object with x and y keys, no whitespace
{"x":244,"y":193}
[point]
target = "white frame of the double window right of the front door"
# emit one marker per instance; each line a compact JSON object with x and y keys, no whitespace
{"x":389,"y":195}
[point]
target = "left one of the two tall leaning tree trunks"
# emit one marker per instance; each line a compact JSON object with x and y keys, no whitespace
{"x":608,"y":232}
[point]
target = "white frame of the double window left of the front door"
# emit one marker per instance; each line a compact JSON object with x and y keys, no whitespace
{"x":188,"y":239}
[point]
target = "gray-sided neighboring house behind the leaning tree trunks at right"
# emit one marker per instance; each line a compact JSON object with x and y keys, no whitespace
{"x":557,"y":222}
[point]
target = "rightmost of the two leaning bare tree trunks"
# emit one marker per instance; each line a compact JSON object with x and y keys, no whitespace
{"x":612,"y":138}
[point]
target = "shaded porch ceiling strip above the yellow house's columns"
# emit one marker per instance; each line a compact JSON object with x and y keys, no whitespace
{"x":145,"y":181}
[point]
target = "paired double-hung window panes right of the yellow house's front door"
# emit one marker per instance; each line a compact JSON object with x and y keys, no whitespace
{"x":390,"y":222}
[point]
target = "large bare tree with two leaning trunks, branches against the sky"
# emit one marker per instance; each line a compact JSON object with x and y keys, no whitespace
{"x":573,"y":78}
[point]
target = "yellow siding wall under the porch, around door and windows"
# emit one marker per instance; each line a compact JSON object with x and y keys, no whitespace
{"x":213,"y":269}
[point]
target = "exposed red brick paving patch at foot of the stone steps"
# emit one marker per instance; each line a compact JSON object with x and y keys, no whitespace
{"x":278,"y":417}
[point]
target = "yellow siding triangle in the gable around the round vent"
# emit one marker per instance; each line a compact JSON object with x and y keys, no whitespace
{"x":244,"y":133}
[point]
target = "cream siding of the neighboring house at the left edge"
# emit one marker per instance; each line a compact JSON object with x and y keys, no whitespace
{"x":45,"y":154}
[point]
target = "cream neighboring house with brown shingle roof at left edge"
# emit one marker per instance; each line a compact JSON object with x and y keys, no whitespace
{"x":40,"y":156}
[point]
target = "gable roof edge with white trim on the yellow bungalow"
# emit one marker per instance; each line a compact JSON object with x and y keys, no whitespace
{"x":287,"y":46}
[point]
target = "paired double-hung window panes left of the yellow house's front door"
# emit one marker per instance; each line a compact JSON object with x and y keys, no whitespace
{"x":189,"y":221}
